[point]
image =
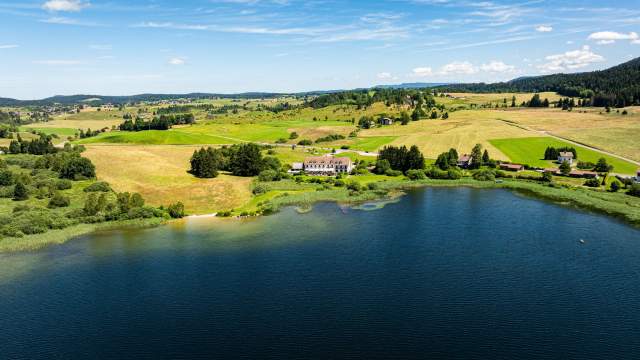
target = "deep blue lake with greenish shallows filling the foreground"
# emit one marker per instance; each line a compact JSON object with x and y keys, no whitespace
{"x":443,"y":273}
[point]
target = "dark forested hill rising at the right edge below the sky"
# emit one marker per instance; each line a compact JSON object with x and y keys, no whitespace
{"x":617,"y":86}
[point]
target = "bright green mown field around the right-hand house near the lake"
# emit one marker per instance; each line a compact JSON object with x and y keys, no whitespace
{"x":531,"y":151}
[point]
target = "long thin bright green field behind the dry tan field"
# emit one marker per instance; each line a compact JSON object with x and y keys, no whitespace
{"x":156,"y":137}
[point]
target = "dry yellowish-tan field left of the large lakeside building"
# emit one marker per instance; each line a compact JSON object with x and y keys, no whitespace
{"x":159,"y":173}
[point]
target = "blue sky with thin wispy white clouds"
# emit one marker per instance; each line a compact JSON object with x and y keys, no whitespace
{"x":115,"y":47}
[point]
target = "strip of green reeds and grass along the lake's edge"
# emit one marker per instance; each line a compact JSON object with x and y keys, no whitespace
{"x":598,"y":202}
